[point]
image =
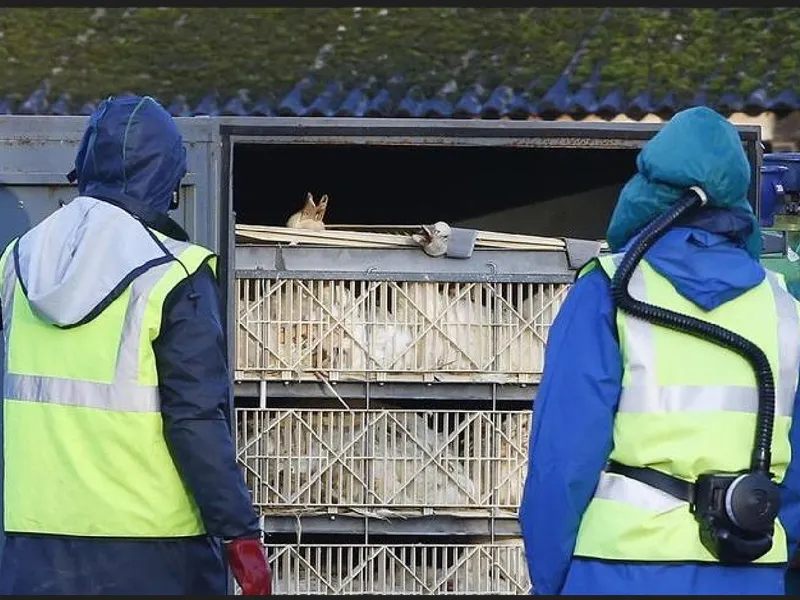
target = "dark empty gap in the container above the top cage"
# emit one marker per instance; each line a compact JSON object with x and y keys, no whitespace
{"x":537,"y":191}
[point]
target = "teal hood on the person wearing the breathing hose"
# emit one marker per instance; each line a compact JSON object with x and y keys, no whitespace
{"x":697,"y":147}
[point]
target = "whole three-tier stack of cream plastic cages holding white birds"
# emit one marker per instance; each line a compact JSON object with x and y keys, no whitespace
{"x":384,"y":412}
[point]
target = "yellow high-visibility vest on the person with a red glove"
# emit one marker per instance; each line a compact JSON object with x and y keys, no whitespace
{"x":85,"y":450}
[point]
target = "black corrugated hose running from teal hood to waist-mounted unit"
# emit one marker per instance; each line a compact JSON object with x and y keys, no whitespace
{"x":762,"y":456}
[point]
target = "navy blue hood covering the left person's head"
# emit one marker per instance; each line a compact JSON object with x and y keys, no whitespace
{"x":132,"y":155}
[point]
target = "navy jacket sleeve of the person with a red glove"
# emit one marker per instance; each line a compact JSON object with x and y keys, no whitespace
{"x":191,"y":360}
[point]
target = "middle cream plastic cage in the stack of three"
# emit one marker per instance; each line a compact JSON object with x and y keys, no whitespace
{"x":383,"y":461}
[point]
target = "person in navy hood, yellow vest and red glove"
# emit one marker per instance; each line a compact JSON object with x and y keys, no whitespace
{"x":120,"y":474}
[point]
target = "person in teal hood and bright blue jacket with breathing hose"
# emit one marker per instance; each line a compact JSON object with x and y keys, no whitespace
{"x":619,"y":390}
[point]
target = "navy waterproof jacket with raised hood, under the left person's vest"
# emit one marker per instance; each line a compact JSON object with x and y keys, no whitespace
{"x":121,"y":160}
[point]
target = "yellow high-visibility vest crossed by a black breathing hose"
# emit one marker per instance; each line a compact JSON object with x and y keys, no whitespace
{"x":686,"y":411}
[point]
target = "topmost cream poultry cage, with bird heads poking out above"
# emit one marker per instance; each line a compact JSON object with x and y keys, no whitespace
{"x":366,"y":306}
